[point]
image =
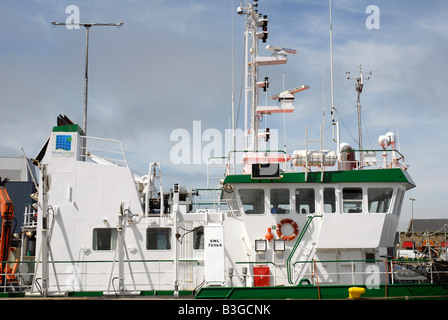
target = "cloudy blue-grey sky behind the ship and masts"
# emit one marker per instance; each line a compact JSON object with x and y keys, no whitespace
{"x":176,"y":63}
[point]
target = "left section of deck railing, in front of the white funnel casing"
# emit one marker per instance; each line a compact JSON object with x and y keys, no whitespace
{"x":145,"y":275}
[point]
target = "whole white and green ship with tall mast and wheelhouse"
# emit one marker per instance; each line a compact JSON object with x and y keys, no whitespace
{"x":278,"y":220}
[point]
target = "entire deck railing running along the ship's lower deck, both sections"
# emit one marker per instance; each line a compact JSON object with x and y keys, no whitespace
{"x":159,"y":275}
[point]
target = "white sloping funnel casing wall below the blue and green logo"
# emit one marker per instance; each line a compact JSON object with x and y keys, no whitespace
{"x":83,"y":196}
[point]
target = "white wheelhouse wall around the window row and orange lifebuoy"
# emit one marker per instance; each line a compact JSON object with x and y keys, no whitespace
{"x":334,"y":236}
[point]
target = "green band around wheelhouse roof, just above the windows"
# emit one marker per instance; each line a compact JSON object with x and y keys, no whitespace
{"x":357,"y":176}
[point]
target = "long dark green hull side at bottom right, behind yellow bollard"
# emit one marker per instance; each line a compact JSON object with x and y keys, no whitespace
{"x":426,"y":291}
